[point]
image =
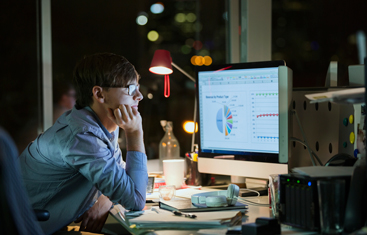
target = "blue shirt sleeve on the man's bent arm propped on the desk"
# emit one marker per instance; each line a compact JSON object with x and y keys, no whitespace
{"x":99,"y":163}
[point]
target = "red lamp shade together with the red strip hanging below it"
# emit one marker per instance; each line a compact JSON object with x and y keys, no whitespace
{"x":161,"y":64}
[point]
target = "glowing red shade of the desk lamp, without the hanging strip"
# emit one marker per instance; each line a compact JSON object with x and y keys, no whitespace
{"x":161,"y":63}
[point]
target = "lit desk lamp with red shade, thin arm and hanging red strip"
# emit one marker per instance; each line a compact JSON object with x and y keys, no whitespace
{"x":162,"y":64}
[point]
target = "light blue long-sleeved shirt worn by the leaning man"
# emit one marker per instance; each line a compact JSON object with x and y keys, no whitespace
{"x":68,"y":166}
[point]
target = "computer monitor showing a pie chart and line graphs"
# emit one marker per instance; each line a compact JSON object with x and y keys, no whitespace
{"x":243,"y":118}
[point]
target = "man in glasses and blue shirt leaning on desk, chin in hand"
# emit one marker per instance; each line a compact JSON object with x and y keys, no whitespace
{"x":75,"y":169}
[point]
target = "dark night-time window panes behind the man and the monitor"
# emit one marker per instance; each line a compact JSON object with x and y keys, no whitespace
{"x":306,"y":34}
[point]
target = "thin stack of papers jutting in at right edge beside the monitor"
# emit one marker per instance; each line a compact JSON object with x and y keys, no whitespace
{"x":347,"y":96}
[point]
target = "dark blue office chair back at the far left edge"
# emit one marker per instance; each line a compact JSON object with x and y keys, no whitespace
{"x":16,"y":214}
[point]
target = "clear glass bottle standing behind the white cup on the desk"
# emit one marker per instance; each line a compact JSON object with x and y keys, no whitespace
{"x":169,"y":148}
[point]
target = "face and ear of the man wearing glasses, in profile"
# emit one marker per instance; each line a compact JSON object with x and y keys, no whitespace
{"x":120,"y":95}
